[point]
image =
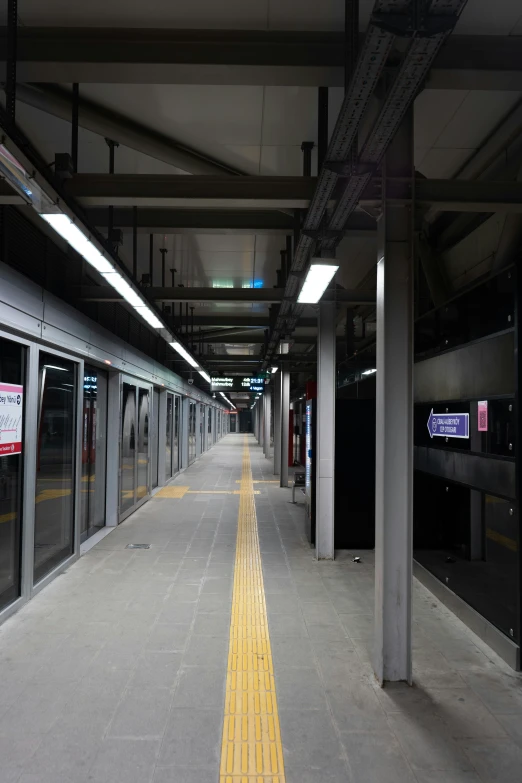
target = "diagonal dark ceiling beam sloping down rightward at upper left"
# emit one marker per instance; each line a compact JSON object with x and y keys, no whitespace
{"x":57,"y":101}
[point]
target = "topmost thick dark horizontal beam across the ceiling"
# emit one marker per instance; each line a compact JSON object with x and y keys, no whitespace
{"x":150,"y":56}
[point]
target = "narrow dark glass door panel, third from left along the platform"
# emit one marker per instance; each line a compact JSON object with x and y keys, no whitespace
{"x":94,"y":451}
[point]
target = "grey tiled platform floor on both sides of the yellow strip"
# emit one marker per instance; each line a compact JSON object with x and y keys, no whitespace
{"x":116,"y":671}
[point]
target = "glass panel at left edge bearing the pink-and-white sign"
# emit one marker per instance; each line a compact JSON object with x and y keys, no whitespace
{"x":12,"y":380}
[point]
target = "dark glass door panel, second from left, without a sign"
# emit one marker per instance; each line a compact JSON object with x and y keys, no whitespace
{"x":54,"y":509}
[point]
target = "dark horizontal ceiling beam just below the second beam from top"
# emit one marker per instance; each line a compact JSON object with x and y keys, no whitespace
{"x":214,"y":221}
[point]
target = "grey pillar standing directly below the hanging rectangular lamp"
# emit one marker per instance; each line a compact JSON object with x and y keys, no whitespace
{"x":325,"y":465}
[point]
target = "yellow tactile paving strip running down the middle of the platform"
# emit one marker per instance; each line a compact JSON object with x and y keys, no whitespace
{"x":251,"y":750}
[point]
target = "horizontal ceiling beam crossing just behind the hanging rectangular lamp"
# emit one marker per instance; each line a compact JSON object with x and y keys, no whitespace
{"x":230,"y":295}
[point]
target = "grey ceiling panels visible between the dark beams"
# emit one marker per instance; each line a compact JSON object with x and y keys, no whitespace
{"x":255,"y":129}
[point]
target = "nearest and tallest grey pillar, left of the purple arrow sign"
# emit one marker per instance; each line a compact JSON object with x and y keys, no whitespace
{"x":394,"y":426}
